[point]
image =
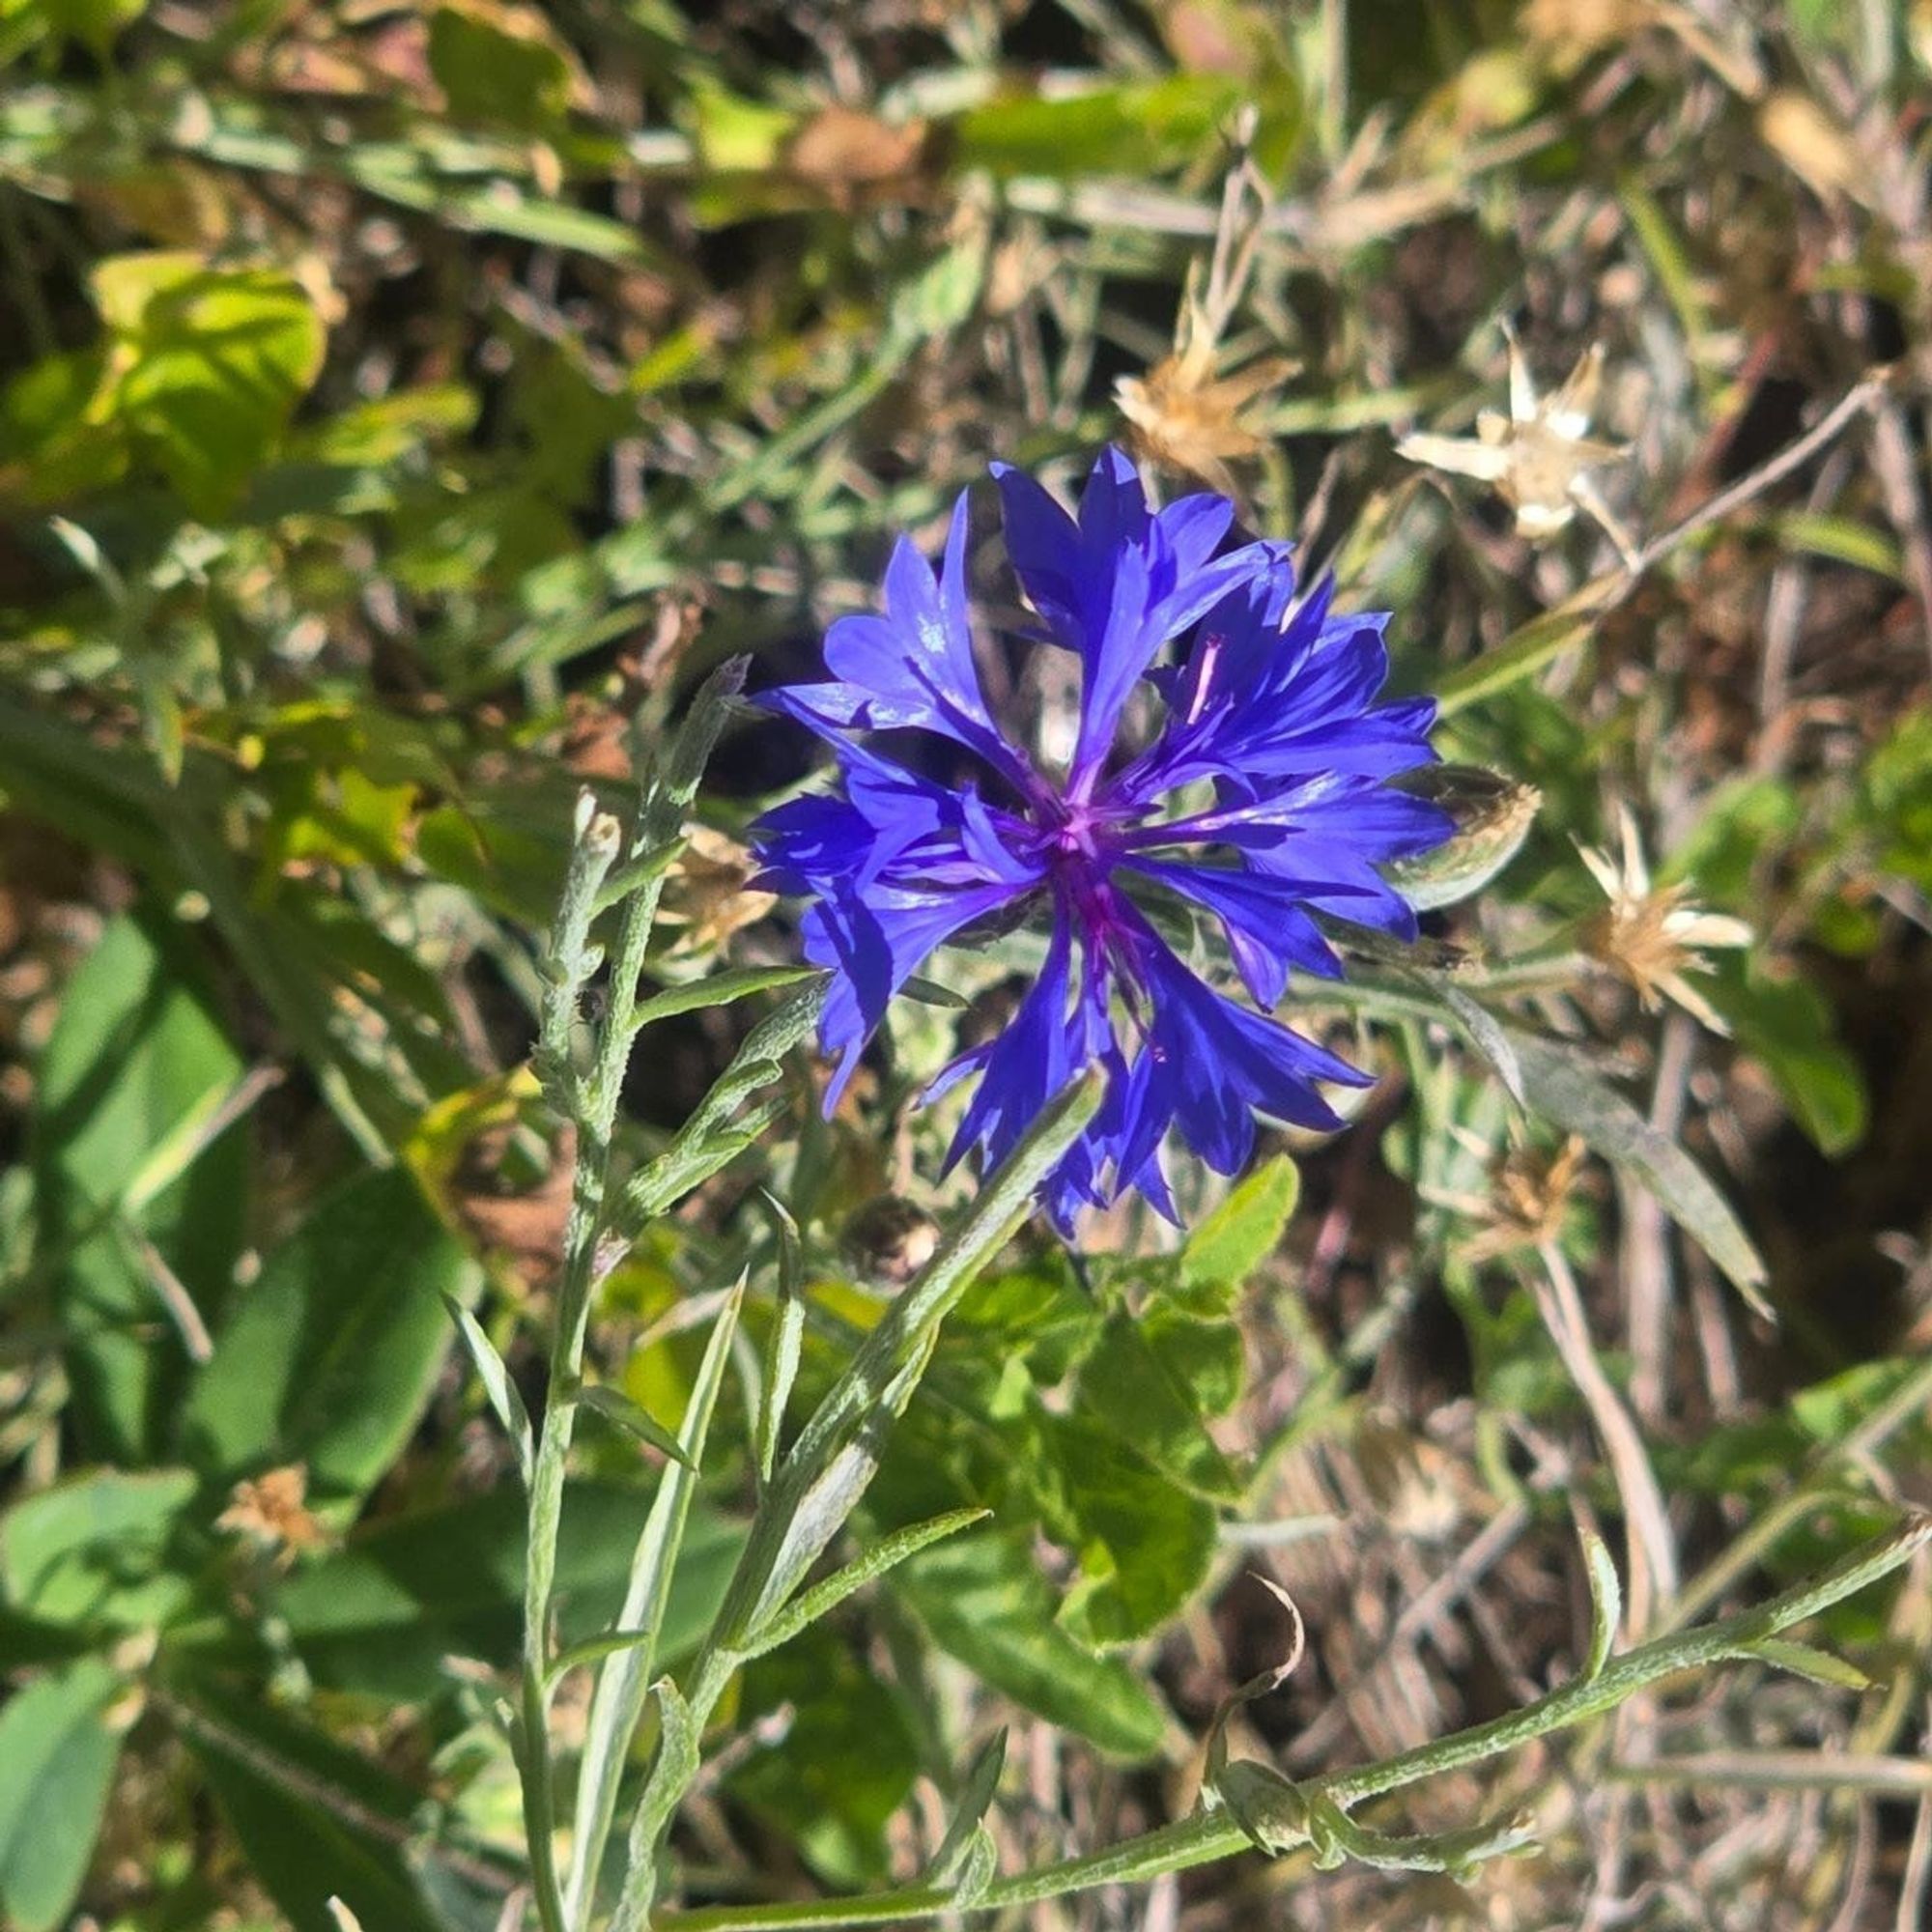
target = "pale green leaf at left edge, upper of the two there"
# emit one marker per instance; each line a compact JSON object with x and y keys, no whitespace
{"x":90,"y":1548}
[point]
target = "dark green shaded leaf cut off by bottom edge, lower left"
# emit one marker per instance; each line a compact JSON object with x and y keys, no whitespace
{"x":312,"y":1817}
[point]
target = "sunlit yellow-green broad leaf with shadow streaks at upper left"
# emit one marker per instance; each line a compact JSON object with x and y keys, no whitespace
{"x":208,"y":366}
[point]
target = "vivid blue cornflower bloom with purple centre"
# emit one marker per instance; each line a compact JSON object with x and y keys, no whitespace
{"x":1263,"y":801}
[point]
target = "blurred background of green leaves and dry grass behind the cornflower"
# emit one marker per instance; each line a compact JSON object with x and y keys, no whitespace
{"x":401,"y":403}
